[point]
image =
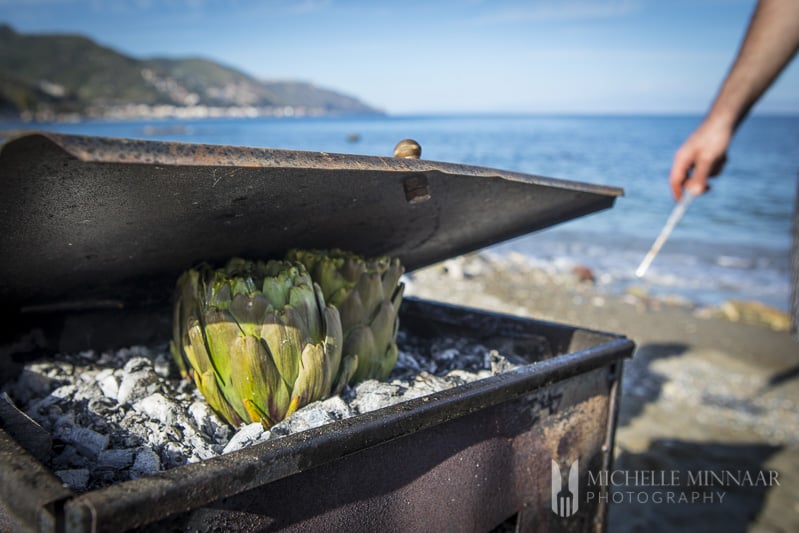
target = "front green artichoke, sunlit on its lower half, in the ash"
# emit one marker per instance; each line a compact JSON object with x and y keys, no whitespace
{"x":257,"y":338}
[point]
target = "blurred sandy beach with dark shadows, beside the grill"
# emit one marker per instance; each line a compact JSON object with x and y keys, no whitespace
{"x":702,"y":393}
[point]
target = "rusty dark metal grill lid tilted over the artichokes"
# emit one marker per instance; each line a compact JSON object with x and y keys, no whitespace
{"x":92,"y":222}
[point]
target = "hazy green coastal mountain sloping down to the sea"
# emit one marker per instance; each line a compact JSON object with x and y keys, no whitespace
{"x":53,"y":76}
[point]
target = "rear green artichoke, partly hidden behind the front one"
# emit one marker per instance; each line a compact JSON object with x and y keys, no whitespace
{"x":367,"y":294}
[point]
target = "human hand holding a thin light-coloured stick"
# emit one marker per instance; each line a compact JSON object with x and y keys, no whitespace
{"x":701,"y":157}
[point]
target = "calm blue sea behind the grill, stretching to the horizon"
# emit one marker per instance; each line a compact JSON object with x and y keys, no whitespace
{"x":732,"y":243}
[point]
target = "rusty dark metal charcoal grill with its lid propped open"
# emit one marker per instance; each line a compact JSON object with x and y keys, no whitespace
{"x":95,"y":232}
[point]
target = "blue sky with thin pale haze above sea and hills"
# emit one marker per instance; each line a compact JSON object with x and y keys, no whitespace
{"x":429,"y":56}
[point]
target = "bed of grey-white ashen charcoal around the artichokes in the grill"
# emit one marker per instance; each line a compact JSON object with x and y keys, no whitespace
{"x":124,"y":414}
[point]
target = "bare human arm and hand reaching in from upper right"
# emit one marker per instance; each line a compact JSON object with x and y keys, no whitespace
{"x":771,"y":41}
